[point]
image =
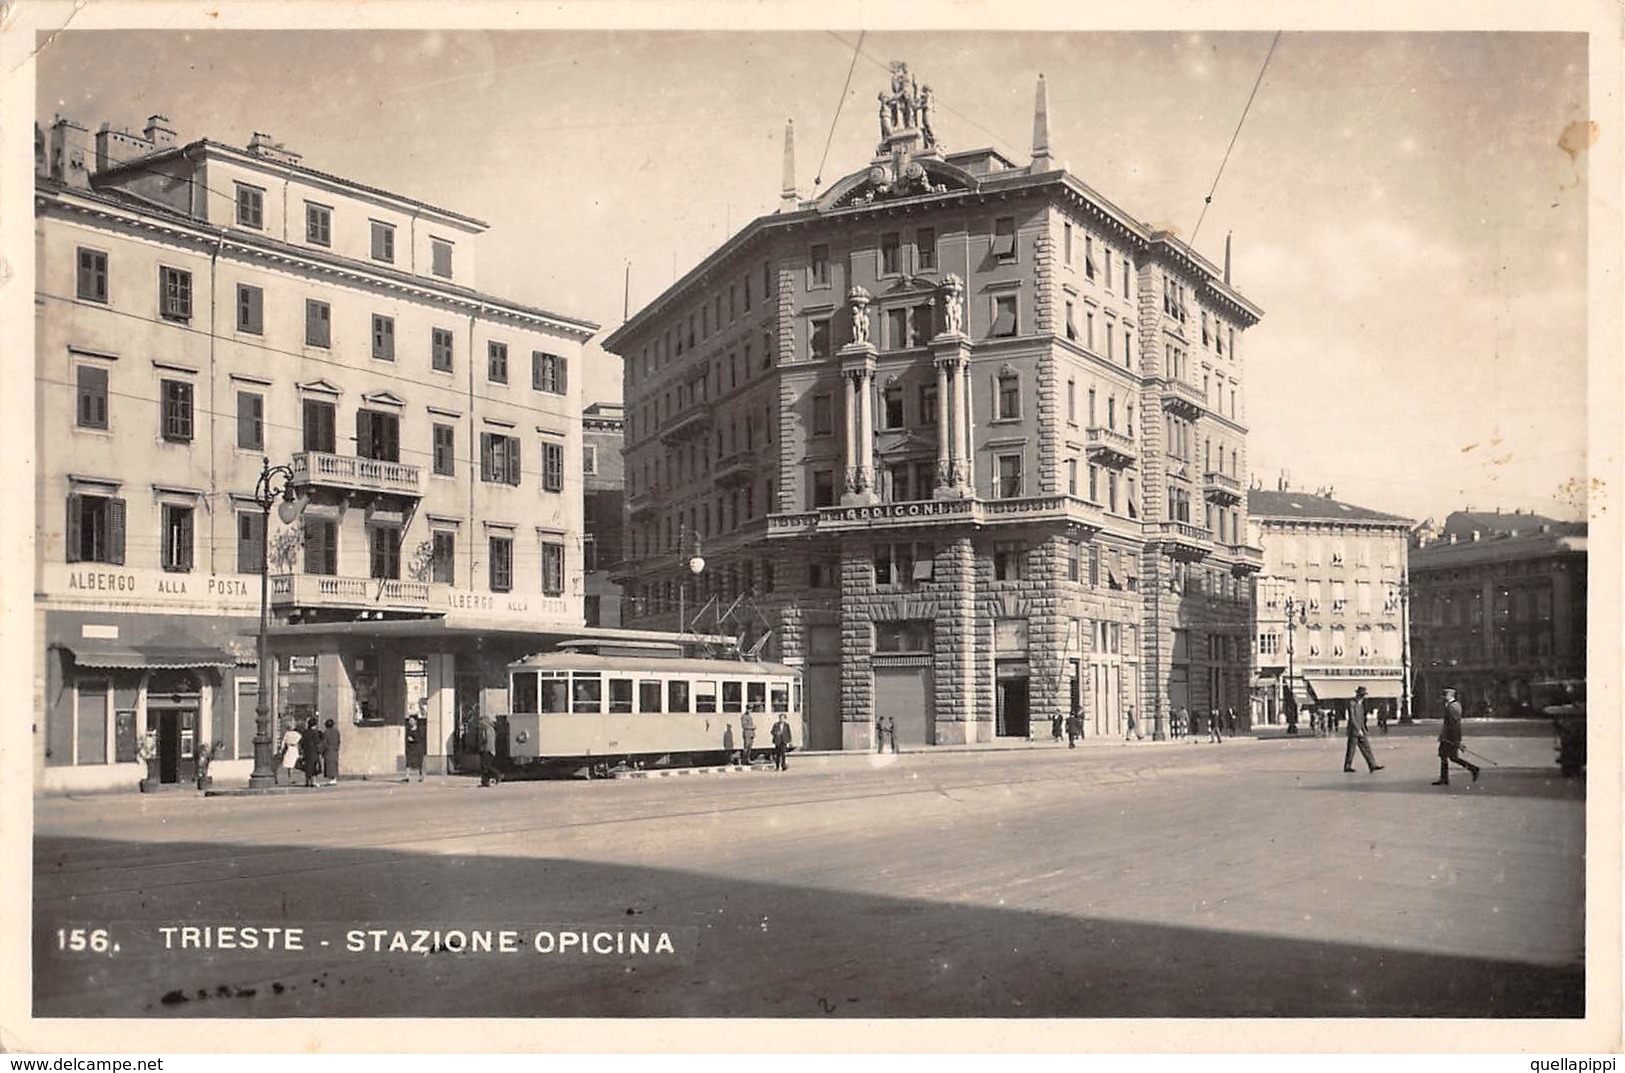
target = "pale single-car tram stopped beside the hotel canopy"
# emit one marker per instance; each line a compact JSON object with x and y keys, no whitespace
{"x":644,"y":710}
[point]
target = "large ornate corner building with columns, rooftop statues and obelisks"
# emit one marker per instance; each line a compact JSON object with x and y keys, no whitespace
{"x":961,"y":438}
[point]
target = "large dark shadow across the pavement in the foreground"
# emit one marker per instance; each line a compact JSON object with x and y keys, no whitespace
{"x":740,"y":949}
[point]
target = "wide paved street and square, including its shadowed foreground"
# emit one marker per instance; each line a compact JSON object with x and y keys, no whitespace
{"x":1250,"y":879}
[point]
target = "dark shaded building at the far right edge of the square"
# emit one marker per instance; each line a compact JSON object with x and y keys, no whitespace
{"x":1499,"y":604}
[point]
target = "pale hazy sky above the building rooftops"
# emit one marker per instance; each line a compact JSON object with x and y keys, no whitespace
{"x":1406,"y":209}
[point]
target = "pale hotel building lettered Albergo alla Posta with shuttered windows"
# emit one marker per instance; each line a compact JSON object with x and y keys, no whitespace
{"x":206,"y":311}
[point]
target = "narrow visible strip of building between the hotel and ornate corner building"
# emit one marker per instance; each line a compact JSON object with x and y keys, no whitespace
{"x":604,"y":505}
